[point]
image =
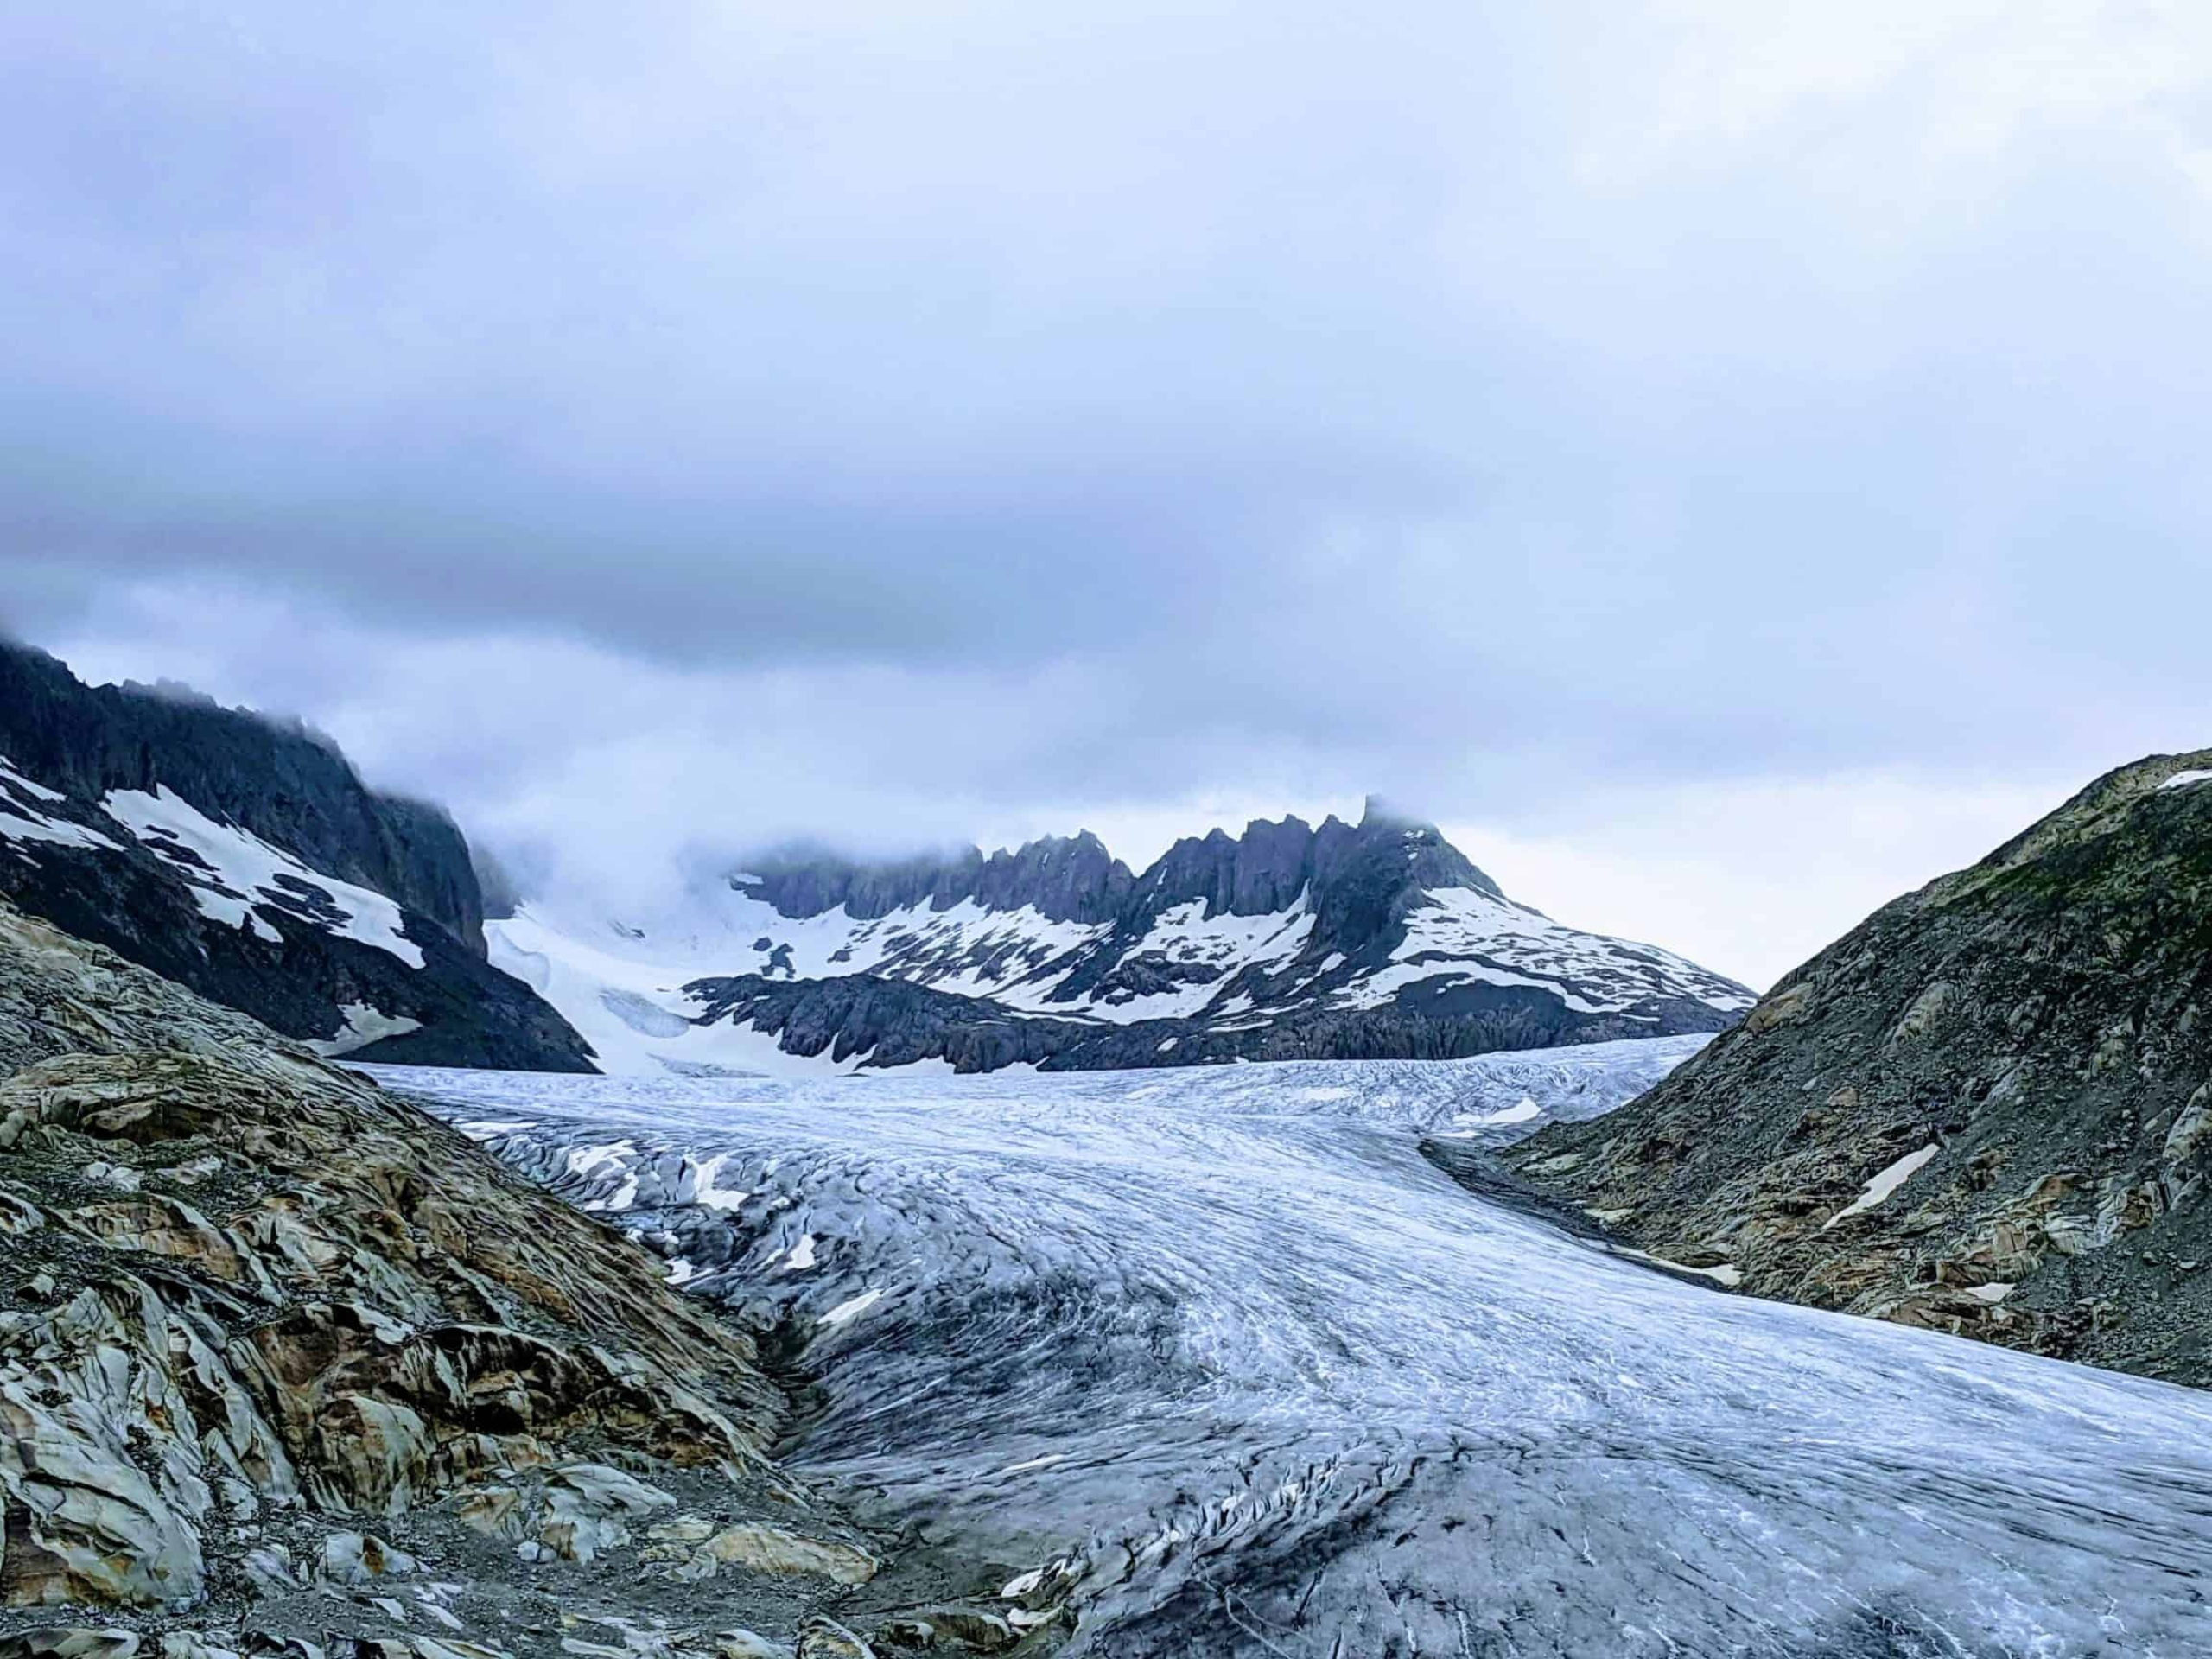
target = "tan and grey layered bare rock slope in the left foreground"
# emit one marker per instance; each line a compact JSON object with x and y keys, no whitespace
{"x":291,"y":1368}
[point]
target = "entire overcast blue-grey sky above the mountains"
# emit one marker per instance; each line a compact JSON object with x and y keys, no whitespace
{"x":1724,"y":461}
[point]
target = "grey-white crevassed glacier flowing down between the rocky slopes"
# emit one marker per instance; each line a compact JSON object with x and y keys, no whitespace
{"x":1222,"y":1361}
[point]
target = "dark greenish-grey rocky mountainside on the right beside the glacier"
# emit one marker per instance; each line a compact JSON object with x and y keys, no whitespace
{"x":1987,"y":1109}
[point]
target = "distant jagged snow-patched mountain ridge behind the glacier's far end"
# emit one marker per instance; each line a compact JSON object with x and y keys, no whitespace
{"x":1286,"y":943}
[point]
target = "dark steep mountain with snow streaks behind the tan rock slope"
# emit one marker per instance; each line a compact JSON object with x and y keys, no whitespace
{"x":247,"y":862}
